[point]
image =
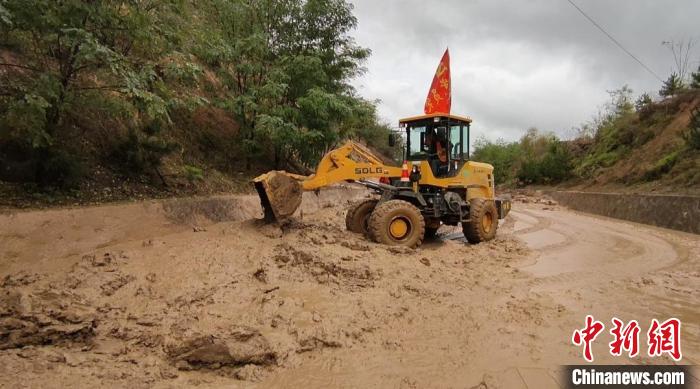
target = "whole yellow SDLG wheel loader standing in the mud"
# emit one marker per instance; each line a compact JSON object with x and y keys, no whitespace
{"x":437,"y":184}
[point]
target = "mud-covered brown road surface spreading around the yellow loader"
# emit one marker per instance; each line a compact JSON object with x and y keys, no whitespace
{"x":179,"y":295}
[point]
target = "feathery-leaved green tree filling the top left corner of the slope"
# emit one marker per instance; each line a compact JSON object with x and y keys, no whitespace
{"x":76,"y":55}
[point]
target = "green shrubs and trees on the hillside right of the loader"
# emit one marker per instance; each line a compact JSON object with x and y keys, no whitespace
{"x":605,"y":146}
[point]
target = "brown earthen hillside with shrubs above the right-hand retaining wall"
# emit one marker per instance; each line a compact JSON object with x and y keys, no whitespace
{"x":648,"y":151}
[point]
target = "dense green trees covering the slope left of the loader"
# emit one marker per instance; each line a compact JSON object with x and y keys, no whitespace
{"x":125,"y":85}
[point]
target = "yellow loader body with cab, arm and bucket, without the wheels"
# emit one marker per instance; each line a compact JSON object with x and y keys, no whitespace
{"x":281,"y":192}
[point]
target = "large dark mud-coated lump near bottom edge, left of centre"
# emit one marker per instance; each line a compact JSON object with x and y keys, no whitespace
{"x":242,"y":346}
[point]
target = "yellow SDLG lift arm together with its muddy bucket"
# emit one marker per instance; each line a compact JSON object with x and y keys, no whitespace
{"x":281,"y":192}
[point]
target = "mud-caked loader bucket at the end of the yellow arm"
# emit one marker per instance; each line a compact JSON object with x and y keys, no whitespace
{"x":280,"y":195}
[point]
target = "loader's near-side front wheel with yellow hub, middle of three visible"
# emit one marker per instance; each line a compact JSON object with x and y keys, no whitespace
{"x":397,"y":223}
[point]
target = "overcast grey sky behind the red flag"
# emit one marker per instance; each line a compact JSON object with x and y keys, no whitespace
{"x":517,"y":64}
